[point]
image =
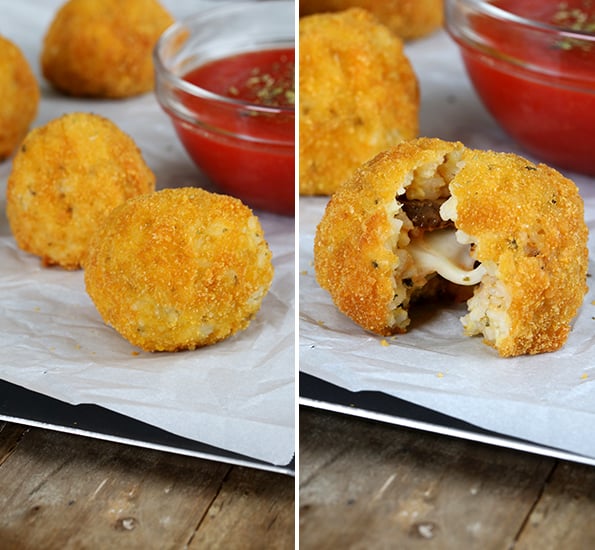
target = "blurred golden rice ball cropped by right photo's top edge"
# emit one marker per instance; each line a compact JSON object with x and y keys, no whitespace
{"x":408,"y":19}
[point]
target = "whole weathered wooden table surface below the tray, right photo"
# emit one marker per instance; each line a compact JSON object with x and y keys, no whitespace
{"x":368,"y":485}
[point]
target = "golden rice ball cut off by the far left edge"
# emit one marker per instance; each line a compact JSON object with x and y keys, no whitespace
{"x":19,"y":97}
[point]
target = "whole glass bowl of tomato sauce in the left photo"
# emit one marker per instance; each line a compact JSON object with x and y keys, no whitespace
{"x":206,"y":67}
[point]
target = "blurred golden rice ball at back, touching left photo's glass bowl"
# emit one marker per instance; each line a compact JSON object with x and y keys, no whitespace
{"x":103,"y":49}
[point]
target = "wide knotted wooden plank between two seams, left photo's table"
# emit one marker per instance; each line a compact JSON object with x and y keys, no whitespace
{"x":64,"y":491}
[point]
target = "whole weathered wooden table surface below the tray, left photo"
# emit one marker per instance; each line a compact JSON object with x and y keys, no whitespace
{"x":62,"y":491}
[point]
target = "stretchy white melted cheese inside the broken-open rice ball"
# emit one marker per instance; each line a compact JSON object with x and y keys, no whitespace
{"x":441,"y":252}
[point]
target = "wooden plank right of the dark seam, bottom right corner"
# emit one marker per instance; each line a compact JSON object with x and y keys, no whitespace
{"x":563,"y":516}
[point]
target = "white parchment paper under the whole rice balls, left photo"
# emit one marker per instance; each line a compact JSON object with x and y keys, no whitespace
{"x":237,"y":395}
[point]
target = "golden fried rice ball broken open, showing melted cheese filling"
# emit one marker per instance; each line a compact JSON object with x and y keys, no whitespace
{"x":429,"y":215}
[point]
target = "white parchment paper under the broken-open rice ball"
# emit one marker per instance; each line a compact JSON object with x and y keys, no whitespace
{"x":547,"y":399}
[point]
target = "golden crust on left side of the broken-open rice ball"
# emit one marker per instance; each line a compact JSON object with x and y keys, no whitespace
{"x":355,"y":246}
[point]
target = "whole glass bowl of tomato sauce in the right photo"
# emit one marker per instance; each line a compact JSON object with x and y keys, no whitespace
{"x":532,"y":63}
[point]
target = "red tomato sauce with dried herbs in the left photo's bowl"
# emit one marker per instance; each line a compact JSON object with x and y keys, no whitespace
{"x":250,"y":154}
